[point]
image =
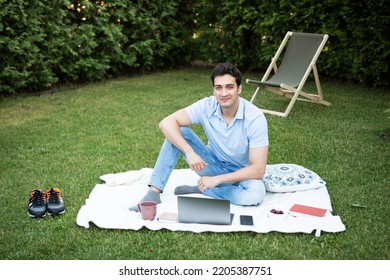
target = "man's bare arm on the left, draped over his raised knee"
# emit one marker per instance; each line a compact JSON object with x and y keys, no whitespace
{"x":170,"y":127}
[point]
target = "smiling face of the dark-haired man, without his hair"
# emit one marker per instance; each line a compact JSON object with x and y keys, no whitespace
{"x":226,"y":91}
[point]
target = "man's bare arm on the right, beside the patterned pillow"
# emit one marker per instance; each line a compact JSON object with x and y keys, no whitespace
{"x":258,"y":160}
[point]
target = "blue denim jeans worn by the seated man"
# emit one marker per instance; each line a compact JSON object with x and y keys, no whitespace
{"x":248,"y":192}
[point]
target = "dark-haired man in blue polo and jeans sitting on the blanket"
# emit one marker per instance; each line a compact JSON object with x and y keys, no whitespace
{"x":233,"y":163}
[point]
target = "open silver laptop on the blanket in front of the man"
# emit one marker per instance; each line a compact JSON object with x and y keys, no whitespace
{"x":204,"y":210}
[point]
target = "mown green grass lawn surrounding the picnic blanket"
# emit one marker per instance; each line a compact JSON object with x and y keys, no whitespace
{"x":71,"y":137}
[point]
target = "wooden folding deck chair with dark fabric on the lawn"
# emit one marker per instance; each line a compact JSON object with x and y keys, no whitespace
{"x":303,"y":50}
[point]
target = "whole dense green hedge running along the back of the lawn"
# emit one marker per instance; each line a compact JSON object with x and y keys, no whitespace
{"x":49,"y":43}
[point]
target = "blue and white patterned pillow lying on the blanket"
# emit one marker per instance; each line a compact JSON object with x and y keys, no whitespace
{"x":290,"y":178}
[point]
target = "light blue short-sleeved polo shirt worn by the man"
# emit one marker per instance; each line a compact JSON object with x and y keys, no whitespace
{"x":231,"y":143}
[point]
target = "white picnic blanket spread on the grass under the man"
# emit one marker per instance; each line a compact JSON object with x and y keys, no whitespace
{"x":108,"y":203}
